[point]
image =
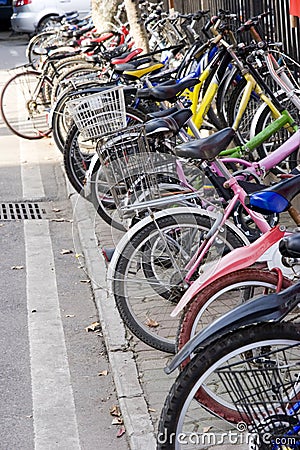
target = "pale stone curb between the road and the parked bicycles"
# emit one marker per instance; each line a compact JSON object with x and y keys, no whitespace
{"x":136,"y":417}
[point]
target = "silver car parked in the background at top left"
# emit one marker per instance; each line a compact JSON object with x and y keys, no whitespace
{"x":30,"y":15}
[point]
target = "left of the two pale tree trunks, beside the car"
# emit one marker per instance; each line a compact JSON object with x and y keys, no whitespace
{"x":103,"y":12}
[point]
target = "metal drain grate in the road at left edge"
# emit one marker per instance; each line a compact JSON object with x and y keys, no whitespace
{"x":21,"y":211}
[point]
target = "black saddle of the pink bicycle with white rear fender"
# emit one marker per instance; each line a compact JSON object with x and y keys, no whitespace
{"x":206,"y":148}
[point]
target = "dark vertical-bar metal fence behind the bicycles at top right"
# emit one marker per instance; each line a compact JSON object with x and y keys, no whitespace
{"x":279,"y":26}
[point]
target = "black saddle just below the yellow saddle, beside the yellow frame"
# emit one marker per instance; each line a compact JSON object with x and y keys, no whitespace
{"x":167,"y":92}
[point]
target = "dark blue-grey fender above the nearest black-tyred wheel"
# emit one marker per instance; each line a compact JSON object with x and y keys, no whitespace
{"x":267,"y":308}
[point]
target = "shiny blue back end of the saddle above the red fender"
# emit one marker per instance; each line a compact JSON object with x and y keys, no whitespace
{"x":267,"y":202}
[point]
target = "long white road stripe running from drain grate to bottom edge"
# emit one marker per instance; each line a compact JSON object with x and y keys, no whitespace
{"x":54,"y":416}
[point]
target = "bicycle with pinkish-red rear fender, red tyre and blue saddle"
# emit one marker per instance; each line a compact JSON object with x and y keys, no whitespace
{"x":246,"y":272}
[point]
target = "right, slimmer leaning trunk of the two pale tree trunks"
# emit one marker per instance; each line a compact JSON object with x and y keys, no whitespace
{"x":137,"y":29}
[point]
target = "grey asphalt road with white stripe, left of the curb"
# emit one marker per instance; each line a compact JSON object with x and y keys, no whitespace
{"x":51,"y":393}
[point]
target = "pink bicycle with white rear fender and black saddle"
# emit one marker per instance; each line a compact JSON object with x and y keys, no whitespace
{"x":159,"y":260}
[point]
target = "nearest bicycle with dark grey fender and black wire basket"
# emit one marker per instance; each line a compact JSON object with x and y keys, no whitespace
{"x":233,"y":353}
